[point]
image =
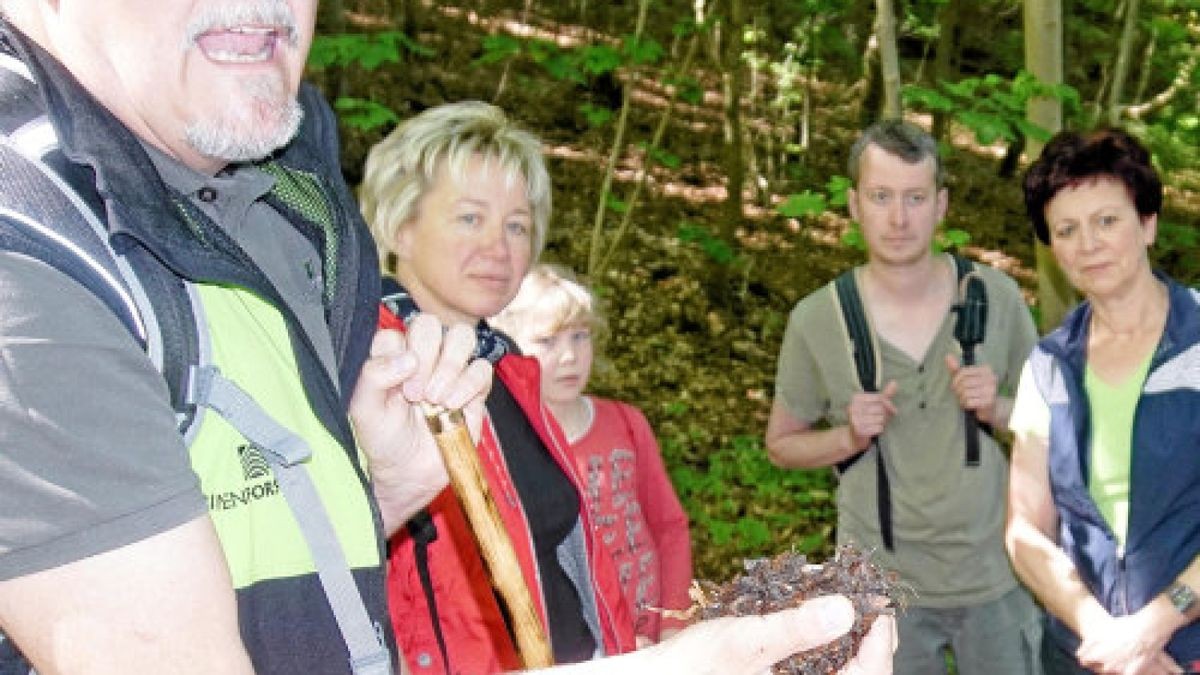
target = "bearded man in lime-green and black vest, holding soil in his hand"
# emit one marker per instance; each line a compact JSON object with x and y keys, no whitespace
{"x":188,"y":308}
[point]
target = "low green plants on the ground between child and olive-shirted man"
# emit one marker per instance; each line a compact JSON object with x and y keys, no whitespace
{"x":742,"y":506}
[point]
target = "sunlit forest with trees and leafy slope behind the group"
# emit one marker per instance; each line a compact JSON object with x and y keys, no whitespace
{"x":699,"y":152}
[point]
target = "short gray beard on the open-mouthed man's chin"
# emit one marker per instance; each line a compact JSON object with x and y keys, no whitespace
{"x":235,"y":141}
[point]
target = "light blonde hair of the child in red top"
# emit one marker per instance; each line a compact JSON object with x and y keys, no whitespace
{"x":553,"y":291}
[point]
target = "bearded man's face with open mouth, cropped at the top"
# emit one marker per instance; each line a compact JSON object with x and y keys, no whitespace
{"x":211,"y":82}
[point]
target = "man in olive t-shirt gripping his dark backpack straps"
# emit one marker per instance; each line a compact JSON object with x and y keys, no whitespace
{"x":875,"y":379}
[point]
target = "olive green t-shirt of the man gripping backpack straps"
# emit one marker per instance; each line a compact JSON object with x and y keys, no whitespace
{"x":947,"y":518}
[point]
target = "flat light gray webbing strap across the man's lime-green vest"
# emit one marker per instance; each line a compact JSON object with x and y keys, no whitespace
{"x":287,"y":452}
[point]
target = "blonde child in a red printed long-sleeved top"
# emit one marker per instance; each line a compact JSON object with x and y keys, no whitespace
{"x":634,"y":506}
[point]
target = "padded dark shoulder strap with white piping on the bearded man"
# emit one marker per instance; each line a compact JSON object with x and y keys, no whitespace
{"x":50,"y":211}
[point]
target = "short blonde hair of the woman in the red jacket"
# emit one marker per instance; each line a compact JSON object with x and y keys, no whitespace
{"x":404,"y":166}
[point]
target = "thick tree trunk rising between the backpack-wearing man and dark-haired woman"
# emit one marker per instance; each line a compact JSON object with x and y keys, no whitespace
{"x":1043,"y":58}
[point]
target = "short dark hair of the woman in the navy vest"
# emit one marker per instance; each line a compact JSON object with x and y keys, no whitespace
{"x":1072,"y":159}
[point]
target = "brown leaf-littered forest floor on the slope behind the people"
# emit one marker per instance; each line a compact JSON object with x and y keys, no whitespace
{"x":700,"y":361}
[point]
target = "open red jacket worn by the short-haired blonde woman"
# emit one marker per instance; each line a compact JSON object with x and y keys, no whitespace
{"x":472,"y":625}
